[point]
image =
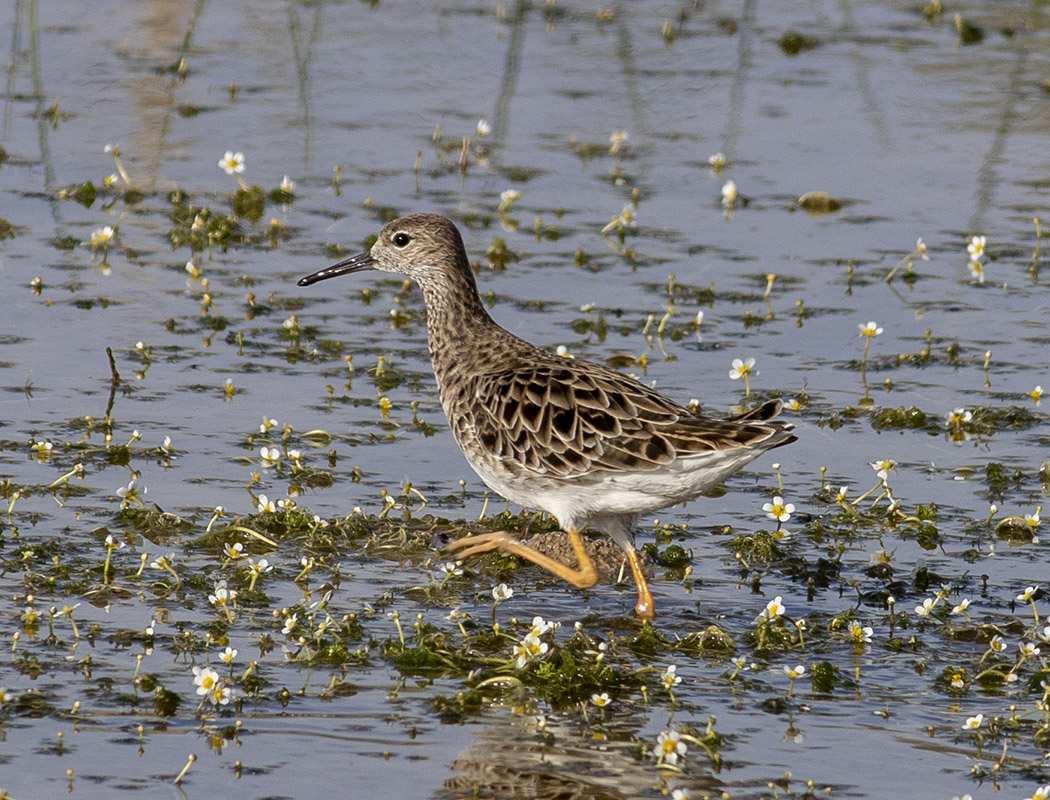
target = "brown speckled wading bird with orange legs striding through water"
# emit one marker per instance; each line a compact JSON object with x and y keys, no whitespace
{"x":590,"y":446}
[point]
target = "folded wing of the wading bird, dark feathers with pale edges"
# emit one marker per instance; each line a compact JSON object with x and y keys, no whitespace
{"x":563,"y":422}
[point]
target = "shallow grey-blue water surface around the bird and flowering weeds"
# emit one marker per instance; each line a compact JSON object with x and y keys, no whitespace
{"x":919,"y":134}
